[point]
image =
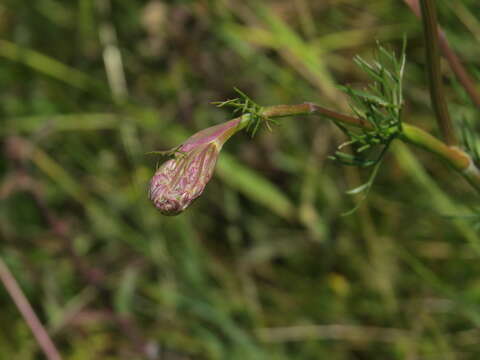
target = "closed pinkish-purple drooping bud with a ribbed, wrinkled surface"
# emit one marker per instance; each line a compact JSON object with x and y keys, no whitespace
{"x":179,"y":181}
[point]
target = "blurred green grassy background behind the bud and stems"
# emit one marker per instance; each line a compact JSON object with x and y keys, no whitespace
{"x":263,"y":265}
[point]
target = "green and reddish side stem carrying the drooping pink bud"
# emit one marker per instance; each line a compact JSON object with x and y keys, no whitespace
{"x":452,"y":155}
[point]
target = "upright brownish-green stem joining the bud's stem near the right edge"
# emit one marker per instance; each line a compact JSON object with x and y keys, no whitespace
{"x":429,"y":20}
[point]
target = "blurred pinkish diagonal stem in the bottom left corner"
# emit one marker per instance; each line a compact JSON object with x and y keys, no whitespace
{"x":20,"y":300}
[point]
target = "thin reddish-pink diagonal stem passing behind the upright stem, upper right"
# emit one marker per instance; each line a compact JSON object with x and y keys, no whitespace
{"x":452,"y":58}
